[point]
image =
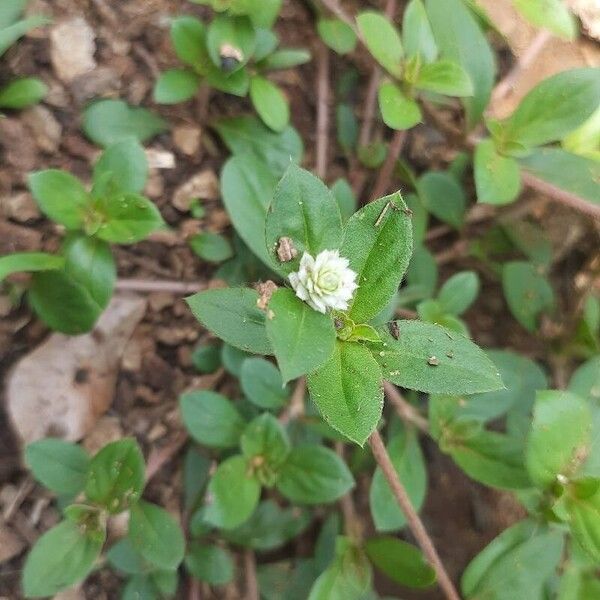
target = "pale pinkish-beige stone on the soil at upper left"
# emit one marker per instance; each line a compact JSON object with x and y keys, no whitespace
{"x":72,"y":48}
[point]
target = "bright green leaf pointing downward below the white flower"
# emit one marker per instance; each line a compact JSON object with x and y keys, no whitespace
{"x":348,"y":391}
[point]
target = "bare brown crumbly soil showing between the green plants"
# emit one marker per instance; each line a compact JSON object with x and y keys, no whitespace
{"x":132,"y":45}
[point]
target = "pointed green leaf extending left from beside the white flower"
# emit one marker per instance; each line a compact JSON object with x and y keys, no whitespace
{"x":232,"y":315}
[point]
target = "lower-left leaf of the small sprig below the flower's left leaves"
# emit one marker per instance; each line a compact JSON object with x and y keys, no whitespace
{"x":233,"y":492}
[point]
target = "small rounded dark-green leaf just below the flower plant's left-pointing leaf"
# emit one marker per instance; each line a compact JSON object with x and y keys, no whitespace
{"x":262,"y":384}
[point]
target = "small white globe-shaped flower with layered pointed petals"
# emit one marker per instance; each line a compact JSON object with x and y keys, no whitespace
{"x":325,"y":281}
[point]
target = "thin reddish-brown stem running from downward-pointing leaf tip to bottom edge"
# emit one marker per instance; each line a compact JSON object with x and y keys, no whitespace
{"x":414,"y":522}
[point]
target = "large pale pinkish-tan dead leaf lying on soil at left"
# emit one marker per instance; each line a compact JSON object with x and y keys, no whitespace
{"x":63,"y":386}
